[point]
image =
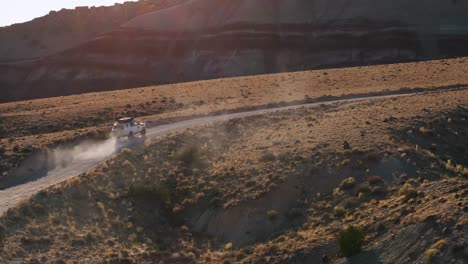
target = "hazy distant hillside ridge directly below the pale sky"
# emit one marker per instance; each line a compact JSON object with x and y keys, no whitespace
{"x":68,"y":28}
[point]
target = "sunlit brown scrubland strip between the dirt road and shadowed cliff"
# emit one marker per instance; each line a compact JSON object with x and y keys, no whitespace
{"x":31,"y":127}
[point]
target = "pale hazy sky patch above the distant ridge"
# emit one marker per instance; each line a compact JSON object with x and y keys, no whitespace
{"x":17,"y":11}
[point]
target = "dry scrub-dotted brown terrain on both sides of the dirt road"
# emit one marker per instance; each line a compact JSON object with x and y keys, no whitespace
{"x":275,"y":188}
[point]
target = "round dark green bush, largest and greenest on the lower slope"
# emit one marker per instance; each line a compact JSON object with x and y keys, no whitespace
{"x":351,"y":240}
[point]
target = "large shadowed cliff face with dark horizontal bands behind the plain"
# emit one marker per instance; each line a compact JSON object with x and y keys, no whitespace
{"x":201,"y":39}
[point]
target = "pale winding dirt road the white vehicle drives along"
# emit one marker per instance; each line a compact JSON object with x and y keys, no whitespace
{"x":11,"y":197}
